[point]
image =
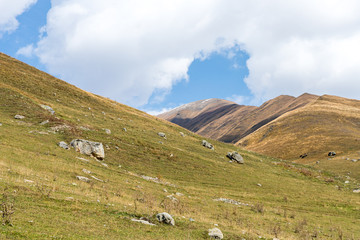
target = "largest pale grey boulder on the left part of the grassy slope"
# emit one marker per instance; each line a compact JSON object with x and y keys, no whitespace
{"x":89,"y":148}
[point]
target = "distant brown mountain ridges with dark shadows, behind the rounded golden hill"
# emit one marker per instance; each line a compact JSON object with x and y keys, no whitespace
{"x":230,"y":122}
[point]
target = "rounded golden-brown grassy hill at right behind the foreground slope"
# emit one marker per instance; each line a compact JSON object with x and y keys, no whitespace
{"x":329,"y":124}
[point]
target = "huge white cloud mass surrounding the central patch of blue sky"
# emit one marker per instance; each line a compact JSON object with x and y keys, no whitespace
{"x":127,"y":50}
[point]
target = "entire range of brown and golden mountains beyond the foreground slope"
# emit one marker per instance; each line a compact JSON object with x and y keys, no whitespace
{"x":284,"y":127}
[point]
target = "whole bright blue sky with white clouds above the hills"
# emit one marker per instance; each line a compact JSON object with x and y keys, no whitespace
{"x":158,"y":54}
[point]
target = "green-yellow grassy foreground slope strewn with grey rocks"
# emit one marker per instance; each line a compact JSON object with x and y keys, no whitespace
{"x":38,"y":178}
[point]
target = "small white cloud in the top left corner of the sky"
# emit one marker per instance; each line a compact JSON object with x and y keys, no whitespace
{"x":9,"y":10}
